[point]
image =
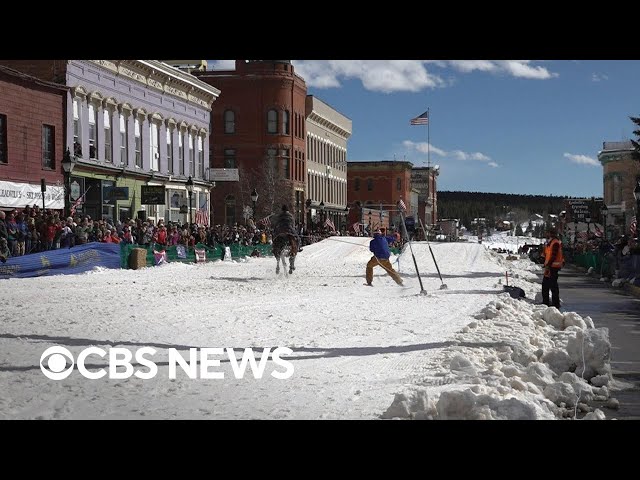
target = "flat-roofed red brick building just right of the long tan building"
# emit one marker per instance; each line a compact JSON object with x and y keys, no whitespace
{"x":378,"y":185}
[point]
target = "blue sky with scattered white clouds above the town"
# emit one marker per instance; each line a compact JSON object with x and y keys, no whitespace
{"x":527,"y":127}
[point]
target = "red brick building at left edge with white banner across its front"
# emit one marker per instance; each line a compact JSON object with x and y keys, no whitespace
{"x":32,"y":119}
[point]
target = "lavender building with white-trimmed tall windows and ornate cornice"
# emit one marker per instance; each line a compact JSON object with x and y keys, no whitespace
{"x":129,"y":124}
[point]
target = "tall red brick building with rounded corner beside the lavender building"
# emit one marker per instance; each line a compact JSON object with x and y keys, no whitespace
{"x":258,"y":128}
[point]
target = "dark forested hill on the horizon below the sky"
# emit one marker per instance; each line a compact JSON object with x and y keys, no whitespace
{"x":469,"y":205}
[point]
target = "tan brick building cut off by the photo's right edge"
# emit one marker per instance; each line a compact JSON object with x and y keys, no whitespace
{"x":620,"y":176}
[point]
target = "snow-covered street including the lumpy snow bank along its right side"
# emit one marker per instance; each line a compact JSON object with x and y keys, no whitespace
{"x":468,"y":351}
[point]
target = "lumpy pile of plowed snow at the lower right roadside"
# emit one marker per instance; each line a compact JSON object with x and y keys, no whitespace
{"x":518,"y":361}
